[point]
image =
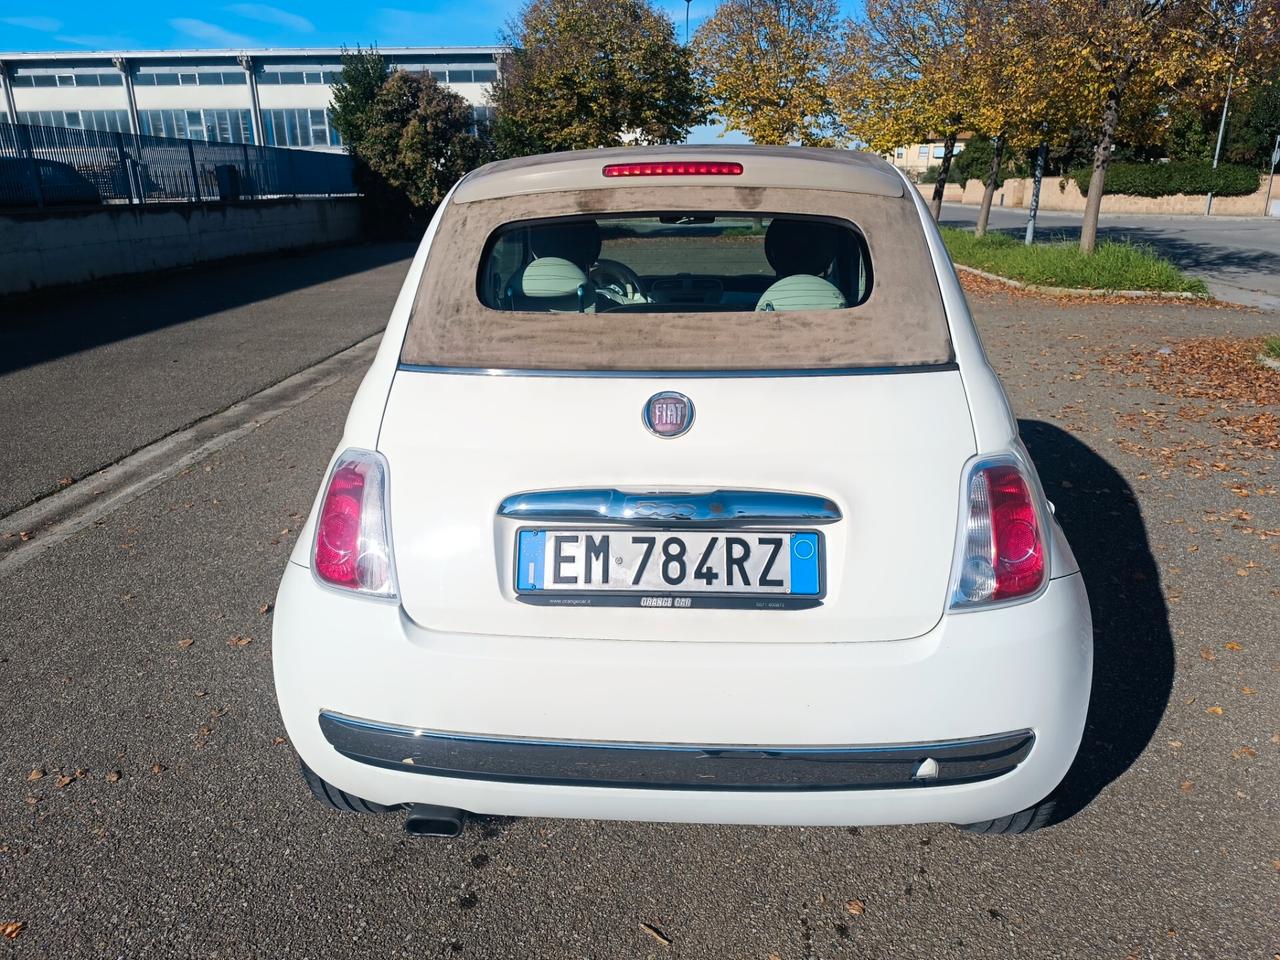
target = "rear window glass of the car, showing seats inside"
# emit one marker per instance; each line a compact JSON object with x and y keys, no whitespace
{"x":675,"y":262}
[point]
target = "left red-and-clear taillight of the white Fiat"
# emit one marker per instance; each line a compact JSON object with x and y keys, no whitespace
{"x":354,"y":546}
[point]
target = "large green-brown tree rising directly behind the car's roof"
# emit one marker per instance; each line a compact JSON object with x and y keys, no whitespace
{"x":592,"y":74}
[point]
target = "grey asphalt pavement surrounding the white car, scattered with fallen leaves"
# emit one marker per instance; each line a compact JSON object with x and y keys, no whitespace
{"x":184,"y":829}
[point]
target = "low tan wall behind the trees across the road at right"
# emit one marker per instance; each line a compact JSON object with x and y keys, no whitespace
{"x":1062,"y":194}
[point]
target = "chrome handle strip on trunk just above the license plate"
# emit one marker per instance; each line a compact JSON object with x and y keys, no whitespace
{"x":668,"y":509}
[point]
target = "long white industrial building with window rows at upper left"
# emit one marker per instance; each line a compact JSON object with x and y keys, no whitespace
{"x":278,"y":98}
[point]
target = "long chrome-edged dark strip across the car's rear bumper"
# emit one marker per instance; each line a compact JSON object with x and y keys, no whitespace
{"x":675,"y":766}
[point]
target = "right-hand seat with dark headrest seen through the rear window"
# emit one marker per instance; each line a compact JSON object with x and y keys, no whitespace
{"x":801,"y":253}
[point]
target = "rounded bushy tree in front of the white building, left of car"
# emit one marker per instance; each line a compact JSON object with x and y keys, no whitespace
{"x":420,"y":138}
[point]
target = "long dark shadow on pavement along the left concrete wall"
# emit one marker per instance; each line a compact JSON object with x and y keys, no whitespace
{"x":56,"y":323}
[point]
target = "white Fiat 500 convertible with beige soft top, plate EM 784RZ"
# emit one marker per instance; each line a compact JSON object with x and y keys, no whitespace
{"x":682,"y":490}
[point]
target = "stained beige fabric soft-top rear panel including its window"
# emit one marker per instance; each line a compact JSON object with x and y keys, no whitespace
{"x":678,"y":280}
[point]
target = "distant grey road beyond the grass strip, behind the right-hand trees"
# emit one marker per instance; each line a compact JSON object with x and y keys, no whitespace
{"x":1238,"y":258}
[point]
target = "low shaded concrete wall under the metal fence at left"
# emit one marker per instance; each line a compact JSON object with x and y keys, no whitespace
{"x":52,"y":248}
